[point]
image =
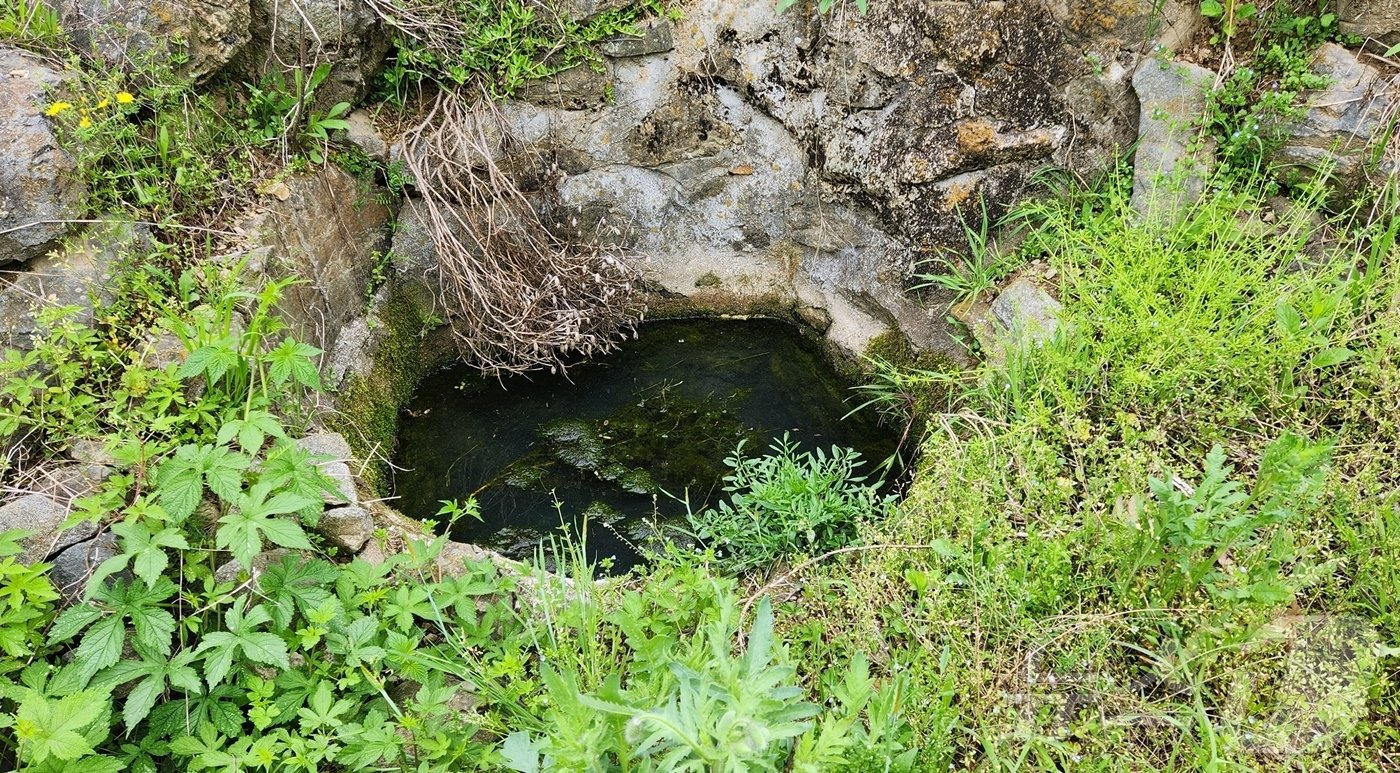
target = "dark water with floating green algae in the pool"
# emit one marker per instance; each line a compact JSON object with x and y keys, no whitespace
{"x":614,"y":439}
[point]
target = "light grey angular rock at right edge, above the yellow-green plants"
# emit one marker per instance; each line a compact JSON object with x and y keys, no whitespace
{"x":1339,"y":127}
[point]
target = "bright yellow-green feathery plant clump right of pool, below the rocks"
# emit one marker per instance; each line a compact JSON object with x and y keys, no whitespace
{"x":1195,"y":327}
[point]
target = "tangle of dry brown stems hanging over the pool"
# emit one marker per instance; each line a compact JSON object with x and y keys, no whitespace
{"x":519,"y":295}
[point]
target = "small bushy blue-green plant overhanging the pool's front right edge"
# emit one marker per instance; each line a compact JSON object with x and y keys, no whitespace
{"x":789,"y":503}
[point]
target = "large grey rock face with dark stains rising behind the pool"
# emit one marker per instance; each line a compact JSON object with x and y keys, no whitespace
{"x":799,"y":162}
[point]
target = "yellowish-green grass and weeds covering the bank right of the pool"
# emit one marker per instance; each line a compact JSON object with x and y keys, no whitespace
{"x":1114,"y":537}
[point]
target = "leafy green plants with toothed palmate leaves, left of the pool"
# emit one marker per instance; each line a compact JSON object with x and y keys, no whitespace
{"x":178,"y":657}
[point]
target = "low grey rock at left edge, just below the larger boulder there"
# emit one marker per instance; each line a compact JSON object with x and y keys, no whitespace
{"x":69,"y":278}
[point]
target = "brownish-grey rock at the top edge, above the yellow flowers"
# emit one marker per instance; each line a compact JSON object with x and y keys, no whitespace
{"x":127,"y":33}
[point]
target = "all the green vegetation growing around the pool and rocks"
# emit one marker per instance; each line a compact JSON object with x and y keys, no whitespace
{"x":1165,"y":540}
